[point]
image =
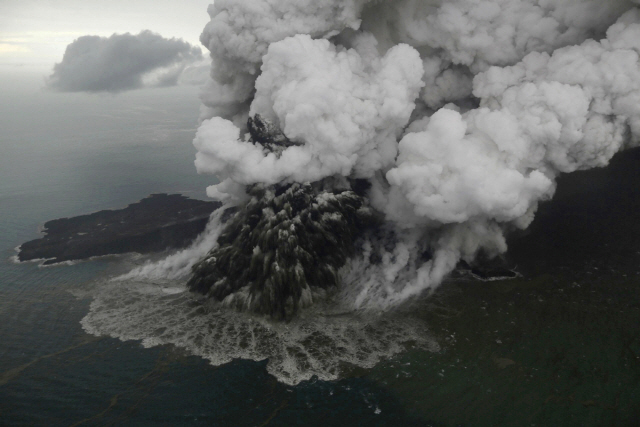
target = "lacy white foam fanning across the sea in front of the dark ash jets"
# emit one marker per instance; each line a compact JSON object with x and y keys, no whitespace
{"x":323,"y":341}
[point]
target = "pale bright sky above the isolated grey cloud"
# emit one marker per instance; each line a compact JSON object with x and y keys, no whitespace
{"x":35,"y":33}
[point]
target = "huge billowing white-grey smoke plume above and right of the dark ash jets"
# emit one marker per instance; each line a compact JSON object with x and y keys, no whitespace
{"x":458,"y":114}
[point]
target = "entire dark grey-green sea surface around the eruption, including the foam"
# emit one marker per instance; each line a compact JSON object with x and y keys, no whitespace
{"x":558,"y":346}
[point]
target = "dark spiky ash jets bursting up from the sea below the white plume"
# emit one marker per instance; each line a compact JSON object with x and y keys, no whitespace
{"x":286,"y":242}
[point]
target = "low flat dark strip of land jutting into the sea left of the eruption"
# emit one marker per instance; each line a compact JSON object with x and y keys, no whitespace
{"x":153,"y":224}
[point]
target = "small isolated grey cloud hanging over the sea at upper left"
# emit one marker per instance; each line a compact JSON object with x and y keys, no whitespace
{"x":123,"y":62}
